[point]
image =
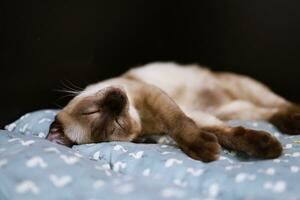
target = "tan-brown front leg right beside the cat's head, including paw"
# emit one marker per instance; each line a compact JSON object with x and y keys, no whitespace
{"x":160,"y":114}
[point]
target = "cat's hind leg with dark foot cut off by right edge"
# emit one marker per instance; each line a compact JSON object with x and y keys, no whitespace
{"x":284,"y":114}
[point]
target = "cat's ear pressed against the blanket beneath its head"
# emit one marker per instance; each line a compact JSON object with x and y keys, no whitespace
{"x":56,"y":135}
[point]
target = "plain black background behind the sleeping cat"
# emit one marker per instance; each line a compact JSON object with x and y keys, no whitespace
{"x":47,"y":43}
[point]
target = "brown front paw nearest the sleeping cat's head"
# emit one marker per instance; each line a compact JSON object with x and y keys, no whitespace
{"x":204,"y":147}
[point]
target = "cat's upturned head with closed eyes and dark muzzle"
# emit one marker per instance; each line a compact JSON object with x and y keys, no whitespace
{"x":92,"y":117}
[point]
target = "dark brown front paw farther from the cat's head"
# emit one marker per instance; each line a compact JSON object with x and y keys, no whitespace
{"x":258,"y":143}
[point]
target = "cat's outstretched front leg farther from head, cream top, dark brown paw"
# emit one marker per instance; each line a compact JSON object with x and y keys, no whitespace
{"x":257,"y":143}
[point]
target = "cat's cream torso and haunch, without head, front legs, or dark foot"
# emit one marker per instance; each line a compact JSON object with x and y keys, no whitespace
{"x":197,"y":89}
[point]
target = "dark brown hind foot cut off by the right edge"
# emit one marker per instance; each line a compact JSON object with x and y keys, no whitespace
{"x":288,"y":120}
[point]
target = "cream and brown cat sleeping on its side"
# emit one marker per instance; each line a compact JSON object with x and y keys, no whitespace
{"x":189,"y":103}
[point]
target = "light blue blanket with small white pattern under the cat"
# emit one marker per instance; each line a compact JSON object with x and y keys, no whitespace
{"x":34,"y":168}
